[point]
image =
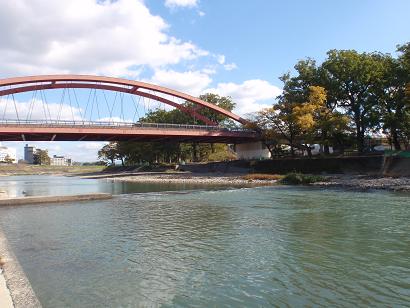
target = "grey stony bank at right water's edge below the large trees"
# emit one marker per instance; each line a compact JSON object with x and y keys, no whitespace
{"x":366,"y":182}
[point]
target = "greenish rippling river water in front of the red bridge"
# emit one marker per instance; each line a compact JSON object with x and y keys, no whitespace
{"x":267,"y":246}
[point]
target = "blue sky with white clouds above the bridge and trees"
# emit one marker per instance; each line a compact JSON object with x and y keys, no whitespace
{"x":230,"y":47}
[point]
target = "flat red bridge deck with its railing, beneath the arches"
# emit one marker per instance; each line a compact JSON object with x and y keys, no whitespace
{"x":13,"y":130}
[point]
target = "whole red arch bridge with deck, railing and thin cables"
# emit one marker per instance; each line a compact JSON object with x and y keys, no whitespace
{"x":94,"y":108}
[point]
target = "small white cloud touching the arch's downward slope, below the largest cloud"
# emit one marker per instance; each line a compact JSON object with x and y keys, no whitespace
{"x":190,"y":82}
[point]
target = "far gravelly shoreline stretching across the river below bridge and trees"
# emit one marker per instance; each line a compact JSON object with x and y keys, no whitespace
{"x":244,"y":178}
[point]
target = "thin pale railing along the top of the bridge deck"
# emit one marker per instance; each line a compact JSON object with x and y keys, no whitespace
{"x":106,"y":124}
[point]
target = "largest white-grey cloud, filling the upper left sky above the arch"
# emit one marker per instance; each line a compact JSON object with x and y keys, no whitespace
{"x":86,"y":36}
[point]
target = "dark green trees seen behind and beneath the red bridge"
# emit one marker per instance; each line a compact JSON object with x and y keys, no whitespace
{"x":136,"y":153}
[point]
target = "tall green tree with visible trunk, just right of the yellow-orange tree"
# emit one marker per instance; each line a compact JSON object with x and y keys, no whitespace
{"x":352,"y":76}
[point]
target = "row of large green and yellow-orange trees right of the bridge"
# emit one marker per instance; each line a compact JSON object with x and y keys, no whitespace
{"x":340,"y":102}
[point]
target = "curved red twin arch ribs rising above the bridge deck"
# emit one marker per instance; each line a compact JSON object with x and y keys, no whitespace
{"x":32,"y":83}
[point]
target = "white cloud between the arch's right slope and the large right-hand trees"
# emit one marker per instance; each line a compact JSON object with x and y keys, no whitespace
{"x":250,"y":96}
